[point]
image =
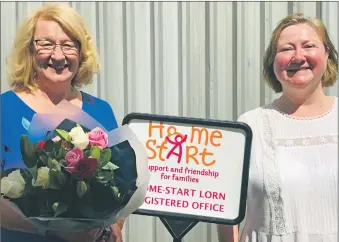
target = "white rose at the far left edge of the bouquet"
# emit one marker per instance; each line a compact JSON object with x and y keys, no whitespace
{"x":13,"y":185}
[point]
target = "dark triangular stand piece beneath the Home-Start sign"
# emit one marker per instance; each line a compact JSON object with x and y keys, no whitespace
{"x":178,"y":228}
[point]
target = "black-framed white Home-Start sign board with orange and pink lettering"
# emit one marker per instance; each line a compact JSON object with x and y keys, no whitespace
{"x":199,"y":168}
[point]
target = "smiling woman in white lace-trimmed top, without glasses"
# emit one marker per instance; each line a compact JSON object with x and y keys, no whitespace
{"x":293,"y":181}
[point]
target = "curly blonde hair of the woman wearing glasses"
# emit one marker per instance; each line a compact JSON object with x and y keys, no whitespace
{"x":21,"y":71}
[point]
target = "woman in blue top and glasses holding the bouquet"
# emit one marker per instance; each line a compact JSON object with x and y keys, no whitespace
{"x":53,"y":55}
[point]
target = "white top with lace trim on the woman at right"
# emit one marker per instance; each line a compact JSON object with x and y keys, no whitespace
{"x":293,"y":182}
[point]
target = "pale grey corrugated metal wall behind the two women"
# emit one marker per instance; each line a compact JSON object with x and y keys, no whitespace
{"x":180,"y":58}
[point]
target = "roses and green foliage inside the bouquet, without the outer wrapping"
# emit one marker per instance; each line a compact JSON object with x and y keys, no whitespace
{"x":71,"y":175}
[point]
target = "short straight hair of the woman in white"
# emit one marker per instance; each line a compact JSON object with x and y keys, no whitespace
{"x":330,"y":76}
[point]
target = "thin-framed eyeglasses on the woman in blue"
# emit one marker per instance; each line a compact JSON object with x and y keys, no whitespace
{"x":47,"y":47}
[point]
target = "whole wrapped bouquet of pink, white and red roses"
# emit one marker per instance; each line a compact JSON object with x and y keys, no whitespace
{"x":78,"y":177}
